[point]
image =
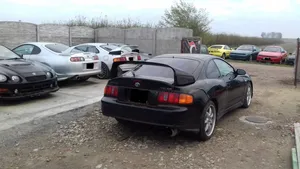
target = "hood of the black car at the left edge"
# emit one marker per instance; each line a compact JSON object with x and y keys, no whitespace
{"x":22,"y":68}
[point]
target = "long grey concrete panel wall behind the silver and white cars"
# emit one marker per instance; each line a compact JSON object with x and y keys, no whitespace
{"x":150,"y":40}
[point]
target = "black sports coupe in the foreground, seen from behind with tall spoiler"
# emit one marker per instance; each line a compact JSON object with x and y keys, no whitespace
{"x":180,"y":91}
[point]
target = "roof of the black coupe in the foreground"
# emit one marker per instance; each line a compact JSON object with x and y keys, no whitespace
{"x":199,"y":57}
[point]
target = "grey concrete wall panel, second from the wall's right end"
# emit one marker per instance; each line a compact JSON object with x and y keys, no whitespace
{"x":143,"y":37}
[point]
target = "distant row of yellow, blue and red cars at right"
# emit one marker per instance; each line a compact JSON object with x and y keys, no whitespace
{"x":271,"y":54}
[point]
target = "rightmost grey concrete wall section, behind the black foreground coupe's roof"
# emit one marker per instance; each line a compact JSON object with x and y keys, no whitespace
{"x":168,"y":40}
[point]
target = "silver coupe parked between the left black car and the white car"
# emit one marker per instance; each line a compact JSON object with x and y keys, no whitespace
{"x":68,"y":65}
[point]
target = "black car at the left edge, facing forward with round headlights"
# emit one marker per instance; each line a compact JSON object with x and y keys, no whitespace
{"x":21,"y":78}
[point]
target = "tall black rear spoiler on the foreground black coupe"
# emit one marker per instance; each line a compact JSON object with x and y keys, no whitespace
{"x":181,"y":78}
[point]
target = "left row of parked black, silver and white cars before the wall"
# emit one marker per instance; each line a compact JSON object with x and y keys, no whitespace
{"x":33,"y":68}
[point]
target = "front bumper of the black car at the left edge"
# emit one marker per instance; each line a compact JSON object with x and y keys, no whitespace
{"x":23,"y":90}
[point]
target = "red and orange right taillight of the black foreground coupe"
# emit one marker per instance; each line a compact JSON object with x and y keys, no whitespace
{"x":174,"y":98}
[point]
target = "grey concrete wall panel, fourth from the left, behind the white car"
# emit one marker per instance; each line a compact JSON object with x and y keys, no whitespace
{"x":110,"y":35}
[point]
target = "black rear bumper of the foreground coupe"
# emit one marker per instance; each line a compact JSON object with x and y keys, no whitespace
{"x":182,"y":118}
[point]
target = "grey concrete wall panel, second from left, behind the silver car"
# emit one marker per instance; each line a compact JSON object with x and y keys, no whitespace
{"x":54,"y":33}
